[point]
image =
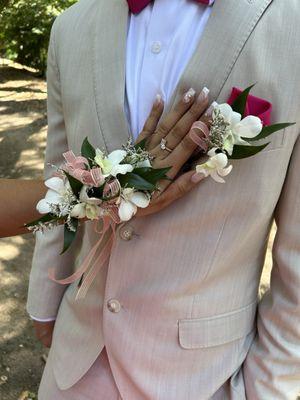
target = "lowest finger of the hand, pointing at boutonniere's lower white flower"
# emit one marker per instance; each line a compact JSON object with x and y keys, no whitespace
{"x":179,"y":188}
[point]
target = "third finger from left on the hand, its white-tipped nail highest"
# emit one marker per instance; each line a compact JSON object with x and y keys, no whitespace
{"x":184,"y":124}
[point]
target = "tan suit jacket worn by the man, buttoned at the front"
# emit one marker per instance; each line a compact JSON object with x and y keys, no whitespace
{"x":187,"y":281}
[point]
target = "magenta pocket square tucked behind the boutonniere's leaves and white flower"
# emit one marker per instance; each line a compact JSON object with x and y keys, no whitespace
{"x":255,"y":106}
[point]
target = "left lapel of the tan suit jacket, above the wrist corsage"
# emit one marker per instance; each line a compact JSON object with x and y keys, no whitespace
{"x":109,"y":54}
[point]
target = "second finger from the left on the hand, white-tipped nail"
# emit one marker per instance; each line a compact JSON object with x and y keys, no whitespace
{"x":172,"y":117}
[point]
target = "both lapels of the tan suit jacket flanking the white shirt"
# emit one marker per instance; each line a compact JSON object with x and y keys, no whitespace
{"x":228,"y":28}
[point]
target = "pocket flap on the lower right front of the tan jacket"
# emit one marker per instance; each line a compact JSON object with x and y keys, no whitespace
{"x":216,"y":330}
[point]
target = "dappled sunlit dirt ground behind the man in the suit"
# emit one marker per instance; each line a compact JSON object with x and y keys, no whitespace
{"x":22,"y":145}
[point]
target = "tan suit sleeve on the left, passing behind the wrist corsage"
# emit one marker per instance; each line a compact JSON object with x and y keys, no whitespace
{"x":44,"y":296}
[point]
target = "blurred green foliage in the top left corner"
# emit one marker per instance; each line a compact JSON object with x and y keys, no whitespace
{"x":25,"y":28}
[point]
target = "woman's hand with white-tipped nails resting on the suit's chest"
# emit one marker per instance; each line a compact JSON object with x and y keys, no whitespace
{"x":181,"y":144}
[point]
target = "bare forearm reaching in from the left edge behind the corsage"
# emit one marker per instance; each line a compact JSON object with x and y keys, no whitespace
{"x":18,"y":199}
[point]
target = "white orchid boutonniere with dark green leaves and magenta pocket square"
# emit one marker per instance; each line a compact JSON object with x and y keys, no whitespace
{"x":234,"y":127}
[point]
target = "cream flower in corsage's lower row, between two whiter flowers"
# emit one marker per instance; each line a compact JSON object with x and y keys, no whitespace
{"x":88,"y":206}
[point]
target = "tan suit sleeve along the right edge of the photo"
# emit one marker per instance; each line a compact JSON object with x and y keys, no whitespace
{"x":272,"y":368}
